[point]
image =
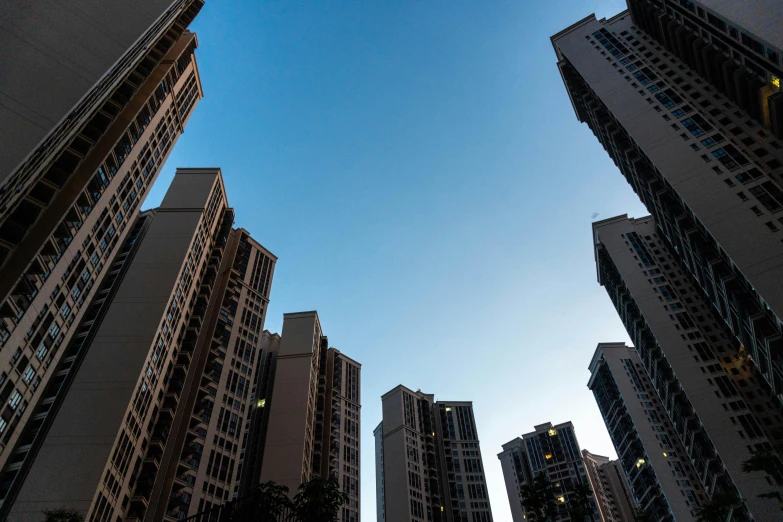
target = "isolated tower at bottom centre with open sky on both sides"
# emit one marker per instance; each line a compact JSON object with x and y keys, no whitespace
{"x":430,"y":461}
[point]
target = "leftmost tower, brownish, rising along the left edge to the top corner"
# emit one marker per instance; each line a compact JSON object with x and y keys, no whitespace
{"x":87,"y":119}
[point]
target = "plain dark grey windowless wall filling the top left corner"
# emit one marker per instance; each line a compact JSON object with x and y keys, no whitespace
{"x":52,"y":52}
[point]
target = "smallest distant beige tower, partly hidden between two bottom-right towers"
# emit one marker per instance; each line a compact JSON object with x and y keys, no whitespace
{"x":610,"y":486}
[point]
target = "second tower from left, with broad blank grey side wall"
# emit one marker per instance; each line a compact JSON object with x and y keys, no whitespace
{"x":149,"y":424}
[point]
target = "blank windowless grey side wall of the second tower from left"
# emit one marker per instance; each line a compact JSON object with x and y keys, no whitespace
{"x":70,"y":464}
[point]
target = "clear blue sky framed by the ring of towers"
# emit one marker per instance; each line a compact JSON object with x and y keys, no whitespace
{"x":419,"y":171}
